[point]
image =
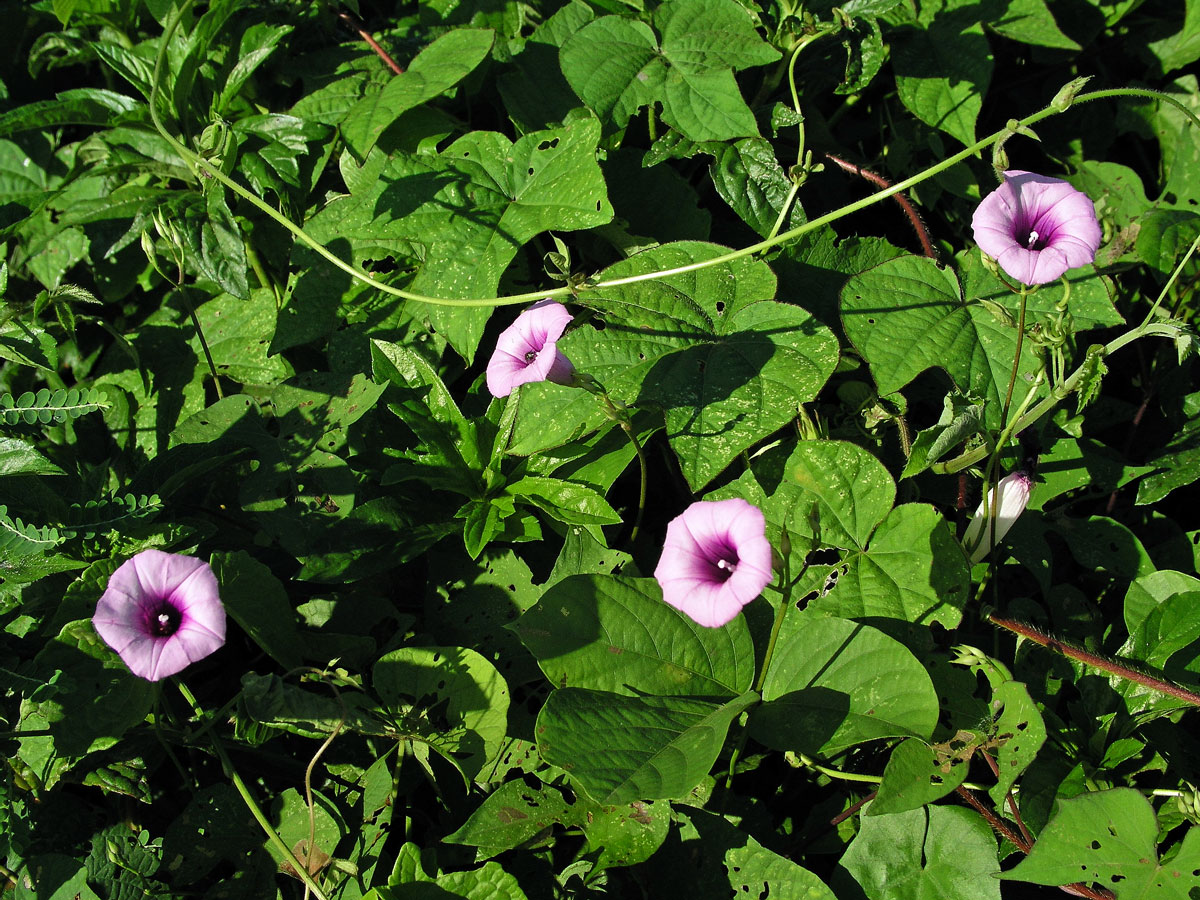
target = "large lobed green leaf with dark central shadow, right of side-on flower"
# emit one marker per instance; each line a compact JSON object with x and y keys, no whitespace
{"x":728,"y":364}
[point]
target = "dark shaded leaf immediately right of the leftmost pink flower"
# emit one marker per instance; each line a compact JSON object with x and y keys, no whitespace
{"x":257,"y":602}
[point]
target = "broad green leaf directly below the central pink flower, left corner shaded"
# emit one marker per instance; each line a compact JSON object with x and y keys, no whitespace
{"x":615,"y":634}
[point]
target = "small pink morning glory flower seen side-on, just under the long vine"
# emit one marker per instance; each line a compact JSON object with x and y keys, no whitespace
{"x":527,"y":351}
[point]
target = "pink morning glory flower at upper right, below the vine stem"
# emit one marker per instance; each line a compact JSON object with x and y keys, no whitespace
{"x":1037,"y":227}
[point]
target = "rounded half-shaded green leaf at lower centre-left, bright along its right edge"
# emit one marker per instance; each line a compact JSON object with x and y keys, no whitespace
{"x":449,"y":698}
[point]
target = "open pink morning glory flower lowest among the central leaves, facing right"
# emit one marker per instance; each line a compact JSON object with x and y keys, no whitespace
{"x":716,"y":560}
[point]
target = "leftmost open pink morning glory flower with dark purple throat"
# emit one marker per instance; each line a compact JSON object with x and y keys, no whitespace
{"x":161,"y":613}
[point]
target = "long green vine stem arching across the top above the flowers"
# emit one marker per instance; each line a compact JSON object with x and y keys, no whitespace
{"x":196,"y":161}
